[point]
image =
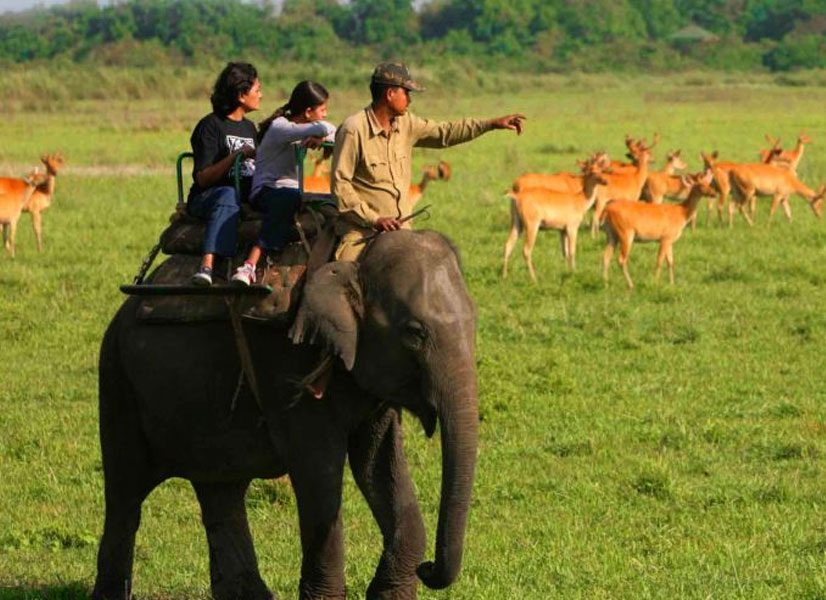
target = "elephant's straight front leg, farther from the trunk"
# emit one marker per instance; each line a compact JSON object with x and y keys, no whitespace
{"x":316,"y":471}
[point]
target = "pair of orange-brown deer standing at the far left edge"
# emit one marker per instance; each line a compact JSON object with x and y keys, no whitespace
{"x":32,"y":194}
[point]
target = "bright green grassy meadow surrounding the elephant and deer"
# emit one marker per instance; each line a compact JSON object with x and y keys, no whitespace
{"x":668,"y":442}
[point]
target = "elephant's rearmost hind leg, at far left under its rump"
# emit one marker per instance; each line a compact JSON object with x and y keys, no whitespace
{"x":128,"y":479}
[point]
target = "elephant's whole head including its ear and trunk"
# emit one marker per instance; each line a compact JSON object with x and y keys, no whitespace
{"x":402,"y":321}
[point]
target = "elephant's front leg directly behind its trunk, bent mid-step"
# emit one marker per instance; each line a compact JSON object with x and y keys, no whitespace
{"x":380,"y":469}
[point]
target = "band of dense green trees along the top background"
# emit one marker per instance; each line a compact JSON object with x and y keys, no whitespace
{"x":525,"y":34}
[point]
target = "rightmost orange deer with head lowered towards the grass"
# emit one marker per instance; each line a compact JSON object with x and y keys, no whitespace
{"x":750,"y":180}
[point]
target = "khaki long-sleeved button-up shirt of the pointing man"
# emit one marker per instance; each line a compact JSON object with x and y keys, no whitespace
{"x":372,"y":169}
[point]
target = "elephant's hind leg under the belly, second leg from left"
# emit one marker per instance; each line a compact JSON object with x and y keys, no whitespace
{"x":232,"y":562}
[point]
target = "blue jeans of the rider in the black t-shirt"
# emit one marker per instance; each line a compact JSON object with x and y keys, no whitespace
{"x":220,"y":208}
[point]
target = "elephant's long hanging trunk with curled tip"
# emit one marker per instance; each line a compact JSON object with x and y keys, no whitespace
{"x":459,"y":421}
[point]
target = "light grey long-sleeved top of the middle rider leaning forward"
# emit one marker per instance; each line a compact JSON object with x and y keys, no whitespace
{"x":275,"y":164}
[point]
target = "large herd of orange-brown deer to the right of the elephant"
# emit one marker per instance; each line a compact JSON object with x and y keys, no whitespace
{"x":628,"y":200}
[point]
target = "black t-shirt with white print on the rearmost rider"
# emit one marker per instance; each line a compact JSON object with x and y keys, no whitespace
{"x":214,"y":138}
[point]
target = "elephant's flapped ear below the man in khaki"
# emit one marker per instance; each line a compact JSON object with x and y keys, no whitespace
{"x":330,"y":310}
